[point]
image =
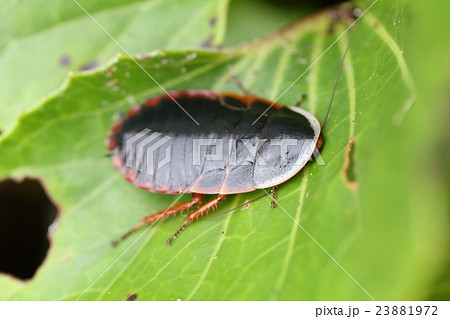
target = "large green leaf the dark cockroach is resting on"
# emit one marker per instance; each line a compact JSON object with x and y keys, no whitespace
{"x":382,"y":243}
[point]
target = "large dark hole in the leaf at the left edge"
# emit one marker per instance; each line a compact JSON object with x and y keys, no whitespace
{"x":26,"y":213}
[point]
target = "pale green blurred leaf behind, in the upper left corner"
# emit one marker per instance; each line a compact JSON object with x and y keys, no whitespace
{"x":42,"y":41}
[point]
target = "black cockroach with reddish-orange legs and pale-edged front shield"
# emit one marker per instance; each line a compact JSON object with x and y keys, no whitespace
{"x":223,"y":152}
